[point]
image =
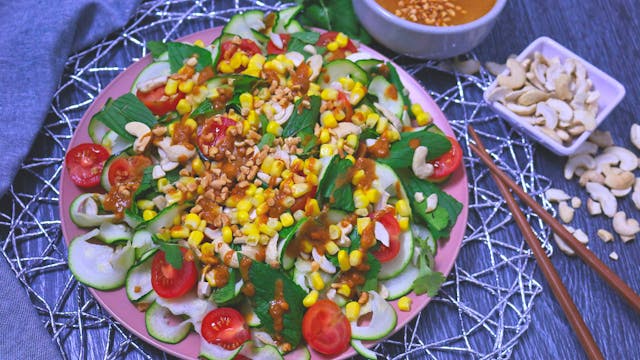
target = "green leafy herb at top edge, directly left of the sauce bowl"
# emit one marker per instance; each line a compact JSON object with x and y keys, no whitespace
{"x":336,"y":15}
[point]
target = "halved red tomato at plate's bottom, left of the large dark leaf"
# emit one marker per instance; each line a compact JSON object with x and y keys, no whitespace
{"x":225,"y":327}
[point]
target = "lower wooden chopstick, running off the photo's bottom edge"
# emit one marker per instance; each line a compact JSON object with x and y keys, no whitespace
{"x":559,"y":290}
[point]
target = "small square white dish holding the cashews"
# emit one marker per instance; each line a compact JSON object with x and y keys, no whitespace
{"x":611,"y":93}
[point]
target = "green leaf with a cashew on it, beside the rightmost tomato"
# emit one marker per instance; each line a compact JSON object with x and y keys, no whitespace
{"x":401,"y":153}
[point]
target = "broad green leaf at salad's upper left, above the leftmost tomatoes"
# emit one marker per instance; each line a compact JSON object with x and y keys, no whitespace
{"x":127,"y":108}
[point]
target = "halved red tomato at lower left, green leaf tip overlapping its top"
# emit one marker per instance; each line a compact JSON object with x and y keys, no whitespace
{"x":169,"y":282}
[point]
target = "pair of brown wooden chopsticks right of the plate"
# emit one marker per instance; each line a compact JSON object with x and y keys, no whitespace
{"x":505,"y":183}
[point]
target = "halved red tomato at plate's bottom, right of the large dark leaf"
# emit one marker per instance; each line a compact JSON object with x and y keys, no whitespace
{"x":325,"y":328}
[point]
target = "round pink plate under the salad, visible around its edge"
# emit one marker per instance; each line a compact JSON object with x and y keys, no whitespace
{"x":116,"y":302}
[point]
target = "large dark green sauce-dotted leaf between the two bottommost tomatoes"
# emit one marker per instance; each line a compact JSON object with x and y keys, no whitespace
{"x":266,"y":277}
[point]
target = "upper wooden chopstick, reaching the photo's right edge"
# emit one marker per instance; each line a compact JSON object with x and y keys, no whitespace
{"x":581,"y":250}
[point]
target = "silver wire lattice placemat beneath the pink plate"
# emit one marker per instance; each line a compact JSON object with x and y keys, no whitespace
{"x":482,"y":310}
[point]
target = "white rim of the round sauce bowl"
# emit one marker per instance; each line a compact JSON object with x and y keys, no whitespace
{"x":489,"y":16}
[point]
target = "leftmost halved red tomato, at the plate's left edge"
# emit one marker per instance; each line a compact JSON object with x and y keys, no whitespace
{"x":85,"y":162}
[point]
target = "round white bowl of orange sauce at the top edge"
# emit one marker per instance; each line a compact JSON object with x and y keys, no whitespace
{"x":423,"y":41}
